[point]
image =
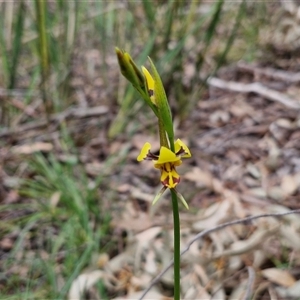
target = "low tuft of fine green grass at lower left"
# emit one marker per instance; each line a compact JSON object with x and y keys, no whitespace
{"x":60,"y":223}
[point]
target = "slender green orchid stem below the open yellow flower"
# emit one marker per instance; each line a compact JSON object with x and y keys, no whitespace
{"x":176,"y":221}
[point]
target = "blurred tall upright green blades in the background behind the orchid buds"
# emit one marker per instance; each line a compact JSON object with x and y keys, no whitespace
{"x":173,"y":32}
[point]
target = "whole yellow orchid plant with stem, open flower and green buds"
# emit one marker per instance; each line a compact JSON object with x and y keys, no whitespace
{"x":150,"y":87}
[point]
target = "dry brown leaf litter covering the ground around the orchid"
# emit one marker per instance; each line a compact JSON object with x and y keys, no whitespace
{"x":246,"y":161}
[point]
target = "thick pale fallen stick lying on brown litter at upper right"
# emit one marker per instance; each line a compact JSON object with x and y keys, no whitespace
{"x":255,"y":87}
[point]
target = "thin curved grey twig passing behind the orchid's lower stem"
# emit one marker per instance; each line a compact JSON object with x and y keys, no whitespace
{"x":208,"y":231}
